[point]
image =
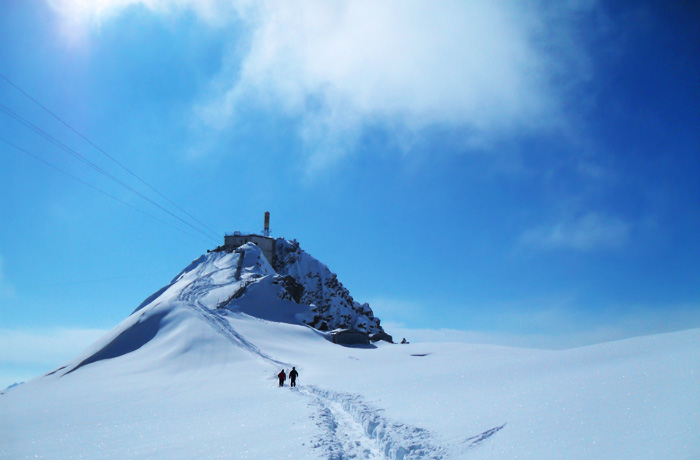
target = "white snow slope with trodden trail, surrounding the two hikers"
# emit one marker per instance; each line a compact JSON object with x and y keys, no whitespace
{"x":191,"y":374}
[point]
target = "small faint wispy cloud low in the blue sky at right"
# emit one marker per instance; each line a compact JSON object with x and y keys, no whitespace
{"x":590,"y":231}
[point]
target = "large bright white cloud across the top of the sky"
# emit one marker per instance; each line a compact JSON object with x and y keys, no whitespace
{"x":488,"y":67}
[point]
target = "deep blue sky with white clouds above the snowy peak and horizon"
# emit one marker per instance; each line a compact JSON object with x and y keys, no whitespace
{"x":519,"y":173}
